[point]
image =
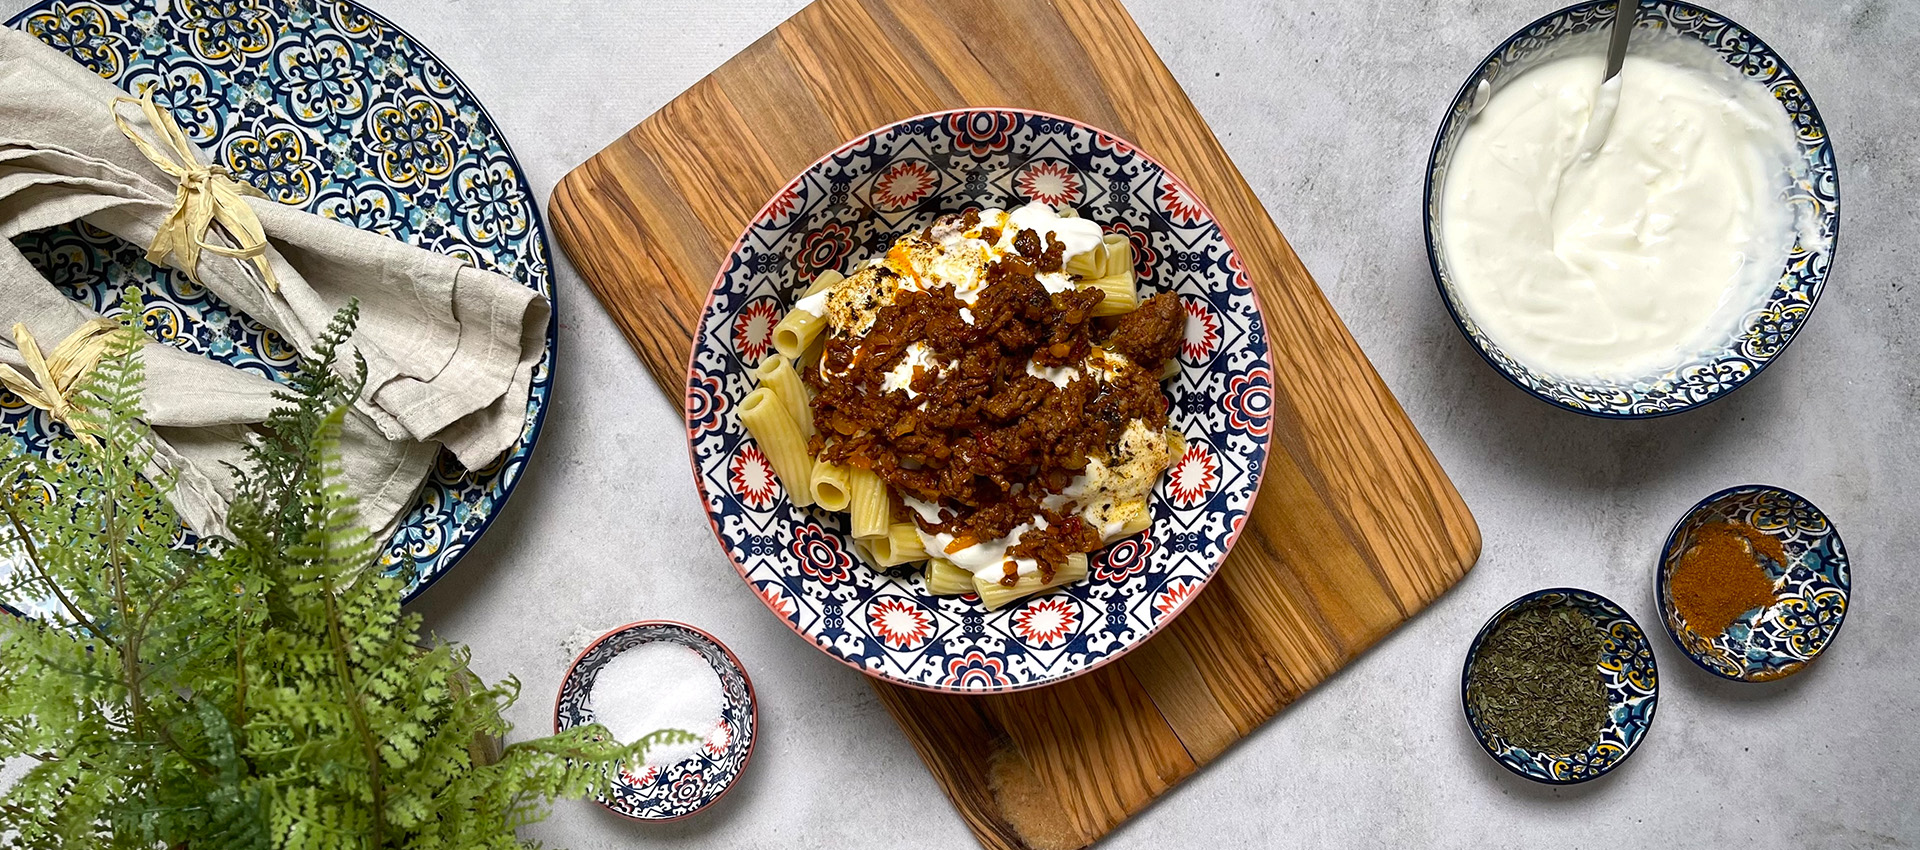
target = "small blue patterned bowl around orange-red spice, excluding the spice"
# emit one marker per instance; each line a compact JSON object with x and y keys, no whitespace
{"x":1812,"y":590}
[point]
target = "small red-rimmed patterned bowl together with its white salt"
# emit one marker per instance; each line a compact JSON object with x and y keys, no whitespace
{"x":652,"y":676}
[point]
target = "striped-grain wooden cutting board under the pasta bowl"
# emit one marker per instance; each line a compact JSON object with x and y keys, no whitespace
{"x":1356,"y":527}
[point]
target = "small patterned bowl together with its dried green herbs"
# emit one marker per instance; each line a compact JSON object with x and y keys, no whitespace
{"x":1560,"y":686}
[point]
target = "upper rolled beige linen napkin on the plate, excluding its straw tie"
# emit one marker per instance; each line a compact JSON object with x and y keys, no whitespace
{"x":450,"y":348}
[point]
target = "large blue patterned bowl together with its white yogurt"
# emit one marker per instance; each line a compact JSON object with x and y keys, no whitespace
{"x":1643,"y":247}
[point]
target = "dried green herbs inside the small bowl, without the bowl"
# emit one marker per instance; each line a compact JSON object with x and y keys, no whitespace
{"x":1537,"y":680}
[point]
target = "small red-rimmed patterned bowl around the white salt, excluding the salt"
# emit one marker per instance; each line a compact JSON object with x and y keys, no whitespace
{"x":694,"y":784}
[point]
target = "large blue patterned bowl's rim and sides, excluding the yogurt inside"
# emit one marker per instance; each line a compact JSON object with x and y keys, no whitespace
{"x":1769,"y":327}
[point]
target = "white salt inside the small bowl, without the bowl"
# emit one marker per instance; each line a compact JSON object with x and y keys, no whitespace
{"x":660,"y":686}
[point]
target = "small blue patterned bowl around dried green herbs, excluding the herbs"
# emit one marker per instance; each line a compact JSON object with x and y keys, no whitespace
{"x":1633,"y":692}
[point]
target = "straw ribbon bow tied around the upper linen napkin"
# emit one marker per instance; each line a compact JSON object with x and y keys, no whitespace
{"x":206,"y":195}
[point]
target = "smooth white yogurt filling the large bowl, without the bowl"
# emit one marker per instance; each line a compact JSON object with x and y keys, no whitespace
{"x":1614,"y":233}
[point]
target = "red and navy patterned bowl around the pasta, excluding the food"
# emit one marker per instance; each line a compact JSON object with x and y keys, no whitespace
{"x":853,"y":204}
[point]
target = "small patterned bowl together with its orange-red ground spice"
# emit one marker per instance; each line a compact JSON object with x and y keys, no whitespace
{"x":1754,"y":582}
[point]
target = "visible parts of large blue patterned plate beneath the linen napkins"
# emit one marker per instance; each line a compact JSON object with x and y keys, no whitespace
{"x":331,"y":108}
